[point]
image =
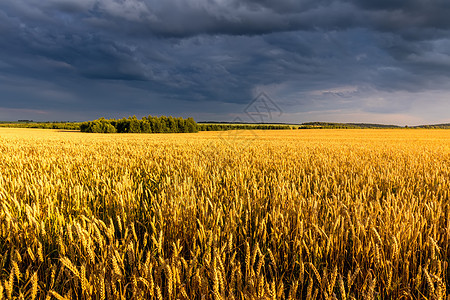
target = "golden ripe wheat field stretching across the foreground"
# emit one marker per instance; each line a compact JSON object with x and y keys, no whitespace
{"x":289,"y":214}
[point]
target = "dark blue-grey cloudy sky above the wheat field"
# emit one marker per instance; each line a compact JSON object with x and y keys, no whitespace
{"x":382,"y":61}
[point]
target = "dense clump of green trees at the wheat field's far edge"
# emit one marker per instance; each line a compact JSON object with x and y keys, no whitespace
{"x":150,"y":124}
